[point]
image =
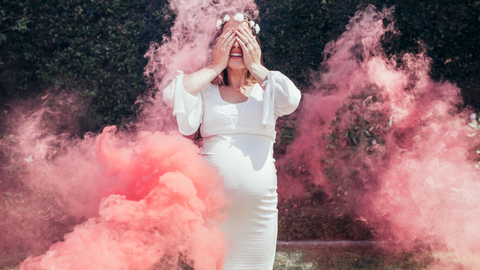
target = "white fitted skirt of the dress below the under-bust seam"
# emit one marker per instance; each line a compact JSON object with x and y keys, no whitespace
{"x":246,"y":163}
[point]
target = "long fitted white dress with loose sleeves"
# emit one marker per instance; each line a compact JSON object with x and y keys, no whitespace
{"x":238,"y":139}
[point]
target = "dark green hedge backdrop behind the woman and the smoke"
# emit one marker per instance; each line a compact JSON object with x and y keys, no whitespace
{"x":95,"y":49}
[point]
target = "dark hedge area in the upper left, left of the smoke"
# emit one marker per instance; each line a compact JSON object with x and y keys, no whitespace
{"x":94,"y":48}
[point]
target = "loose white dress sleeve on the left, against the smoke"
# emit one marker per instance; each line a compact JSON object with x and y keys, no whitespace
{"x":188,"y":109}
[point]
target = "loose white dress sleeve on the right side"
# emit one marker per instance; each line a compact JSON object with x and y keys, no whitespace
{"x":280,"y":97}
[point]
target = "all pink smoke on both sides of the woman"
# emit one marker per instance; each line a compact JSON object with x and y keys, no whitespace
{"x":382,"y":138}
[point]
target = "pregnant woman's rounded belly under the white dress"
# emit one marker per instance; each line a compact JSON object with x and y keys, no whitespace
{"x":245,"y":161}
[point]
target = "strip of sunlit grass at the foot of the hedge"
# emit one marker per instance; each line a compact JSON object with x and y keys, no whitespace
{"x":345,"y":259}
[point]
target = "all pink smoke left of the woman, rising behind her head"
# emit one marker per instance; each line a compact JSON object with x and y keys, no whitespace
{"x":149,"y":198}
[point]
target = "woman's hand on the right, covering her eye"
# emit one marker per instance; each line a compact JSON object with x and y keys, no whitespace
{"x":251,"y":51}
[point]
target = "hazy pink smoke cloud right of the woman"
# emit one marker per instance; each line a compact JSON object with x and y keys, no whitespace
{"x":389,"y":143}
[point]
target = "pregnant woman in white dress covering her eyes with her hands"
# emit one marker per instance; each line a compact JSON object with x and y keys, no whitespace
{"x":235,"y":101}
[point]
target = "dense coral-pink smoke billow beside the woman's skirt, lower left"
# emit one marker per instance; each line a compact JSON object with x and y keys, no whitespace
{"x":170,"y":217}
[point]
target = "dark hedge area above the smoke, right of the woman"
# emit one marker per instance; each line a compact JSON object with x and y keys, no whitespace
{"x":294,"y":34}
